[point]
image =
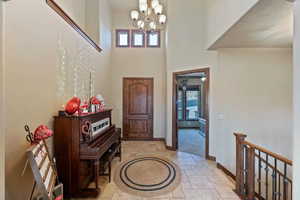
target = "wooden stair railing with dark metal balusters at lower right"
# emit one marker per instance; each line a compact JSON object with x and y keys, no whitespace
{"x":260,"y":173}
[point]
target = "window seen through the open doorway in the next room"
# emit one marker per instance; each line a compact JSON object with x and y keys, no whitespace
{"x":188,"y":105}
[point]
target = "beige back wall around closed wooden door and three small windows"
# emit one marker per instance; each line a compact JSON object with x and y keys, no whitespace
{"x":139,"y":62}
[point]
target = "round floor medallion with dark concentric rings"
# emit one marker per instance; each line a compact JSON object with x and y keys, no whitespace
{"x":134,"y":177}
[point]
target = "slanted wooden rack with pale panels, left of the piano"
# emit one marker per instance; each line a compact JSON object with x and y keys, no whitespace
{"x":44,"y":172}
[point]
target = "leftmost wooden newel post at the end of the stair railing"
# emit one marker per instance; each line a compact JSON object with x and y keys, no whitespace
{"x":240,"y":176}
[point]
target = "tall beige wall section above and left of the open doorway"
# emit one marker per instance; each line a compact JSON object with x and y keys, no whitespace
{"x":185,"y":47}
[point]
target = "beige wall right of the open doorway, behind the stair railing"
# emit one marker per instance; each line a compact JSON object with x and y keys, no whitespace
{"x":253,"y":96}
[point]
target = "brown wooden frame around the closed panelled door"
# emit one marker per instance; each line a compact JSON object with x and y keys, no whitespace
{"x":123,"y":110}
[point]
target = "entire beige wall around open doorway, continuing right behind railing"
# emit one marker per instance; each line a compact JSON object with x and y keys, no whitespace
{"x":229,"y":67}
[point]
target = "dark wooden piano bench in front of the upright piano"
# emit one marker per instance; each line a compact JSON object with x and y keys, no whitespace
{"x":107,"y":158}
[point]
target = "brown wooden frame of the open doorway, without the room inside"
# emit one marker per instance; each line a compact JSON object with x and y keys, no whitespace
{"x":206,"y":109}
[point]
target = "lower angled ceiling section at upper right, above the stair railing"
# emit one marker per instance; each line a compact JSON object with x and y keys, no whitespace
{"x":268,"y":24}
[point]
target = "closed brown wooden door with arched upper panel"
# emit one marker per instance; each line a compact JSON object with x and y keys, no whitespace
{"x":138,"y":108}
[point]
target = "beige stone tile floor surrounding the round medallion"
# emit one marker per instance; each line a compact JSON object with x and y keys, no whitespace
{"x":200,"y":179}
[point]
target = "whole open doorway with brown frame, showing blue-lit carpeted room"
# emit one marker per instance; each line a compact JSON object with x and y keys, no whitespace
{"x":190,"y":112}
